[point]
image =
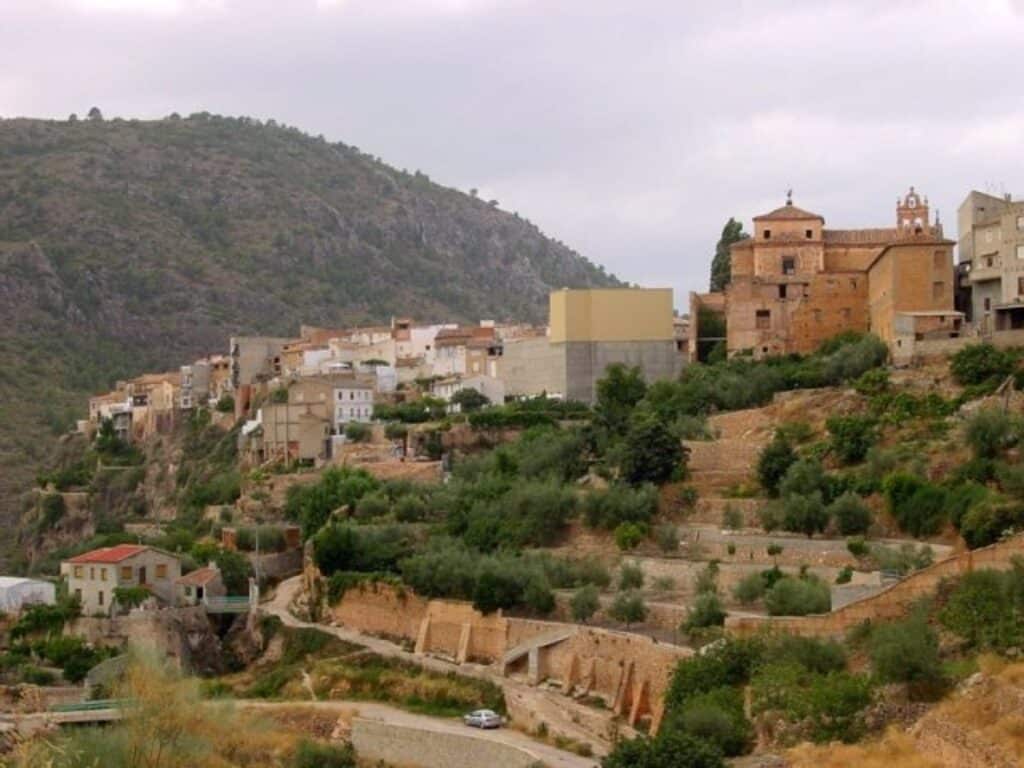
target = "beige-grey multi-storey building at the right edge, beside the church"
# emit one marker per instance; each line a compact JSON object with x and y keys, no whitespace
{"x":991,"y":233}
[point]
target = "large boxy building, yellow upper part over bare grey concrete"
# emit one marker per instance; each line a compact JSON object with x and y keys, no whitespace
{"x":589,"y":331}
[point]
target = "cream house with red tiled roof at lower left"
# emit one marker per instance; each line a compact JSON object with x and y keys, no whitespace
{"x":93,"y":577}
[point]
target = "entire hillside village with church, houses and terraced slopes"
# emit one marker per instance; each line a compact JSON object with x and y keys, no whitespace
{"x":734,"y":531}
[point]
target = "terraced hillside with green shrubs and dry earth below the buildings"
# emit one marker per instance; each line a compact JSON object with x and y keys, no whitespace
{"x":745,"y":491}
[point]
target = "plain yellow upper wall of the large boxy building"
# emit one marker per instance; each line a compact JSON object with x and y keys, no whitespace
{"x":612,"y":315}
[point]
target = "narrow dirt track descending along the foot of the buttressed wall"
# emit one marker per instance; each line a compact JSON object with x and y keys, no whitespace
{"x":558,"y":711}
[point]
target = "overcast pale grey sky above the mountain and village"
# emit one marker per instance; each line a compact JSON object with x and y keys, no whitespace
{"x":630,"y":130}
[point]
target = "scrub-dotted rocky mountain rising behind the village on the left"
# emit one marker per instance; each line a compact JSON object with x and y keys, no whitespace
{"x":129,"y":246}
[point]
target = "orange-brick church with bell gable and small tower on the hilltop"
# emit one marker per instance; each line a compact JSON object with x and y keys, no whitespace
{"x":796,"y":284}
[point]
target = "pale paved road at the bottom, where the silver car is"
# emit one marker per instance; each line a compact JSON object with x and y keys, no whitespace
{"x":390,"y":715}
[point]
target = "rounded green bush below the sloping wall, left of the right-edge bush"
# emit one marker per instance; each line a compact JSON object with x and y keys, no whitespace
{"x":906,"y":652}
